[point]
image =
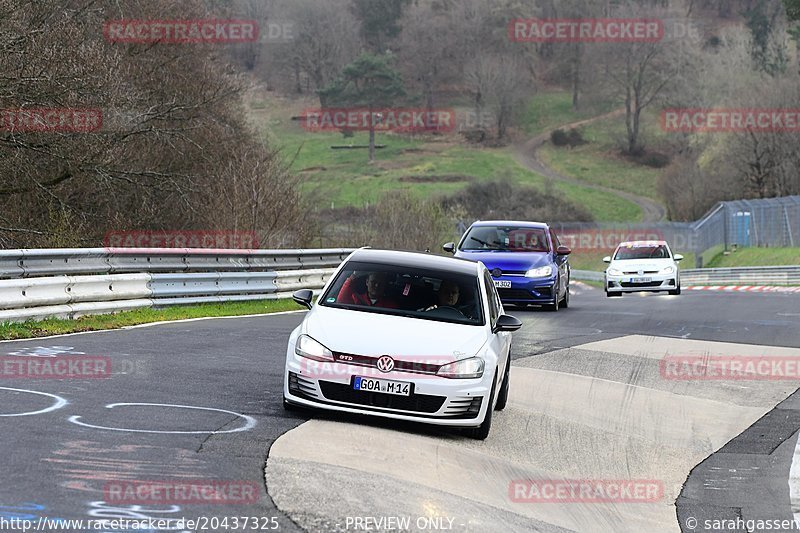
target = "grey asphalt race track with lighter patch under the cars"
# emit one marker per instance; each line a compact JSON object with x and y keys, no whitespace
{"x":587,"y":402}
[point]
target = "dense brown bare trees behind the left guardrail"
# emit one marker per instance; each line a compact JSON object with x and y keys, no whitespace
{"x":165,"y":143}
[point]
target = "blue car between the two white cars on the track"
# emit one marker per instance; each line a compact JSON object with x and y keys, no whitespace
{"x":527,"y":263}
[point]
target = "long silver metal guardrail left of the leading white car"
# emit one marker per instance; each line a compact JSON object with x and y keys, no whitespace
{"x":71,"y":282}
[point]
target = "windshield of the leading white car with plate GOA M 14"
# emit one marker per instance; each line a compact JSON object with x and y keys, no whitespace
{"x":406,"y":291}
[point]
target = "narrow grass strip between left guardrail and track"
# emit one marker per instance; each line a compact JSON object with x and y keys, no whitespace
{"x":56,"y":326}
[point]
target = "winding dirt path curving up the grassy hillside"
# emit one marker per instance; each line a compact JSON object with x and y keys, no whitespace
{"x":526,"y":155}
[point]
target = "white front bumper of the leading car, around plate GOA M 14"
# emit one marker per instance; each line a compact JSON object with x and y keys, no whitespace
{"x":433,"y":399}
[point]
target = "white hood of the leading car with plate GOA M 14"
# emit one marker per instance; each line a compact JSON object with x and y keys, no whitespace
{"x":373,"y":334}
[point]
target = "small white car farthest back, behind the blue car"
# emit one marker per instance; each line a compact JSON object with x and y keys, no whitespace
{"x":638,"y":266}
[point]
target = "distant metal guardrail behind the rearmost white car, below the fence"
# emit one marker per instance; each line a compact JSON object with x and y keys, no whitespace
{"x":767,"y":275}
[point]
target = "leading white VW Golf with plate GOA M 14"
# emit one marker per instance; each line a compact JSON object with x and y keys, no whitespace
{"x":404,"y":335}
